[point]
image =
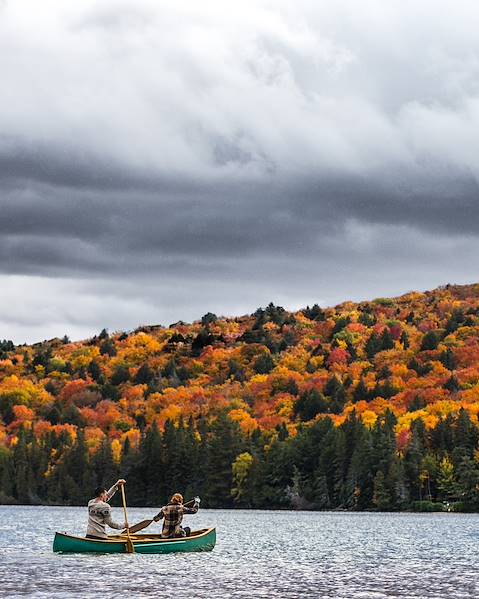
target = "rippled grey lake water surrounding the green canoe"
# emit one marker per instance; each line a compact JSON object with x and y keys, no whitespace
{"x":258,"y":554}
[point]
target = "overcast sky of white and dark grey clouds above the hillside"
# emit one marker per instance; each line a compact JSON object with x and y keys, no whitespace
{"x":160,"y":159}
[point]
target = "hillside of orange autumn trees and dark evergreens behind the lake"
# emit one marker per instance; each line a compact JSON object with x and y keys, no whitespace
{"x":370,"y":405}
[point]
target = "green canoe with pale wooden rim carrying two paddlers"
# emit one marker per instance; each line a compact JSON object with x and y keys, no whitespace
{"x":199,"y":540}
